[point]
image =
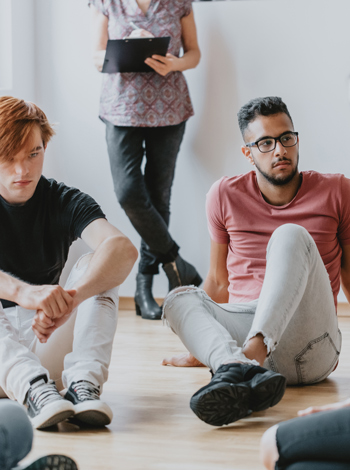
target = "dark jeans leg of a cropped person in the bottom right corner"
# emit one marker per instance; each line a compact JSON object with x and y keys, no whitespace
{"x":320,"y":441}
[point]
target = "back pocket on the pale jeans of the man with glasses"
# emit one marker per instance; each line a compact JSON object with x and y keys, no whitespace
{"x":317,"y":360}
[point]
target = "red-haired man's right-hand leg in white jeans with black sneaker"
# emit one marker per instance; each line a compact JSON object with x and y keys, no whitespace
{"x":81,"y":350}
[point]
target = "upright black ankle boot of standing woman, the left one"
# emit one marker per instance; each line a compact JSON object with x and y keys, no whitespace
{"x":145,"y":304}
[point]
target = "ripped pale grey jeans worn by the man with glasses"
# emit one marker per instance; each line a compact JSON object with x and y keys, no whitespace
{"x":295,"y":313}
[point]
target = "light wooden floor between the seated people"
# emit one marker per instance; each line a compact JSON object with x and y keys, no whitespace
{"x":153,"y":426}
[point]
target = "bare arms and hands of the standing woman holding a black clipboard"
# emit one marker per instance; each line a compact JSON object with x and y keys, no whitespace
{"x":162,"y":65}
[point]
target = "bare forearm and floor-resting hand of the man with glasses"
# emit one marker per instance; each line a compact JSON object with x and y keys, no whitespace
{"x":215,"y":285}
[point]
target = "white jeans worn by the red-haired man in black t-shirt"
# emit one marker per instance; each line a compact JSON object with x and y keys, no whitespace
{"x":80,"y":349}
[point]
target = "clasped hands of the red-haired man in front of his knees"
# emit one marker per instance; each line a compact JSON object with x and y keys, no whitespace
{"x":53,"y":306}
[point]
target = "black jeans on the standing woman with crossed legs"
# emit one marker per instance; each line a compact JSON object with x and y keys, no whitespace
{"x":145,"y":196}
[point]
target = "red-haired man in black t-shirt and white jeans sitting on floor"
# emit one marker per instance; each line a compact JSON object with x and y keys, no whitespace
{"x":40,"y":219}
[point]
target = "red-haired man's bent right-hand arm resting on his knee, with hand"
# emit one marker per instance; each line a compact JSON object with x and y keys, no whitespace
{"x":113,"y":258}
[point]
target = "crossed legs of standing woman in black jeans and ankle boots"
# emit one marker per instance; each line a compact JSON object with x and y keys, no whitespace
{"x":126,"y":151}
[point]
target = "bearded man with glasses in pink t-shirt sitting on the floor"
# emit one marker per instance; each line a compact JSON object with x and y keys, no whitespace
{"x":280,"y":244}
